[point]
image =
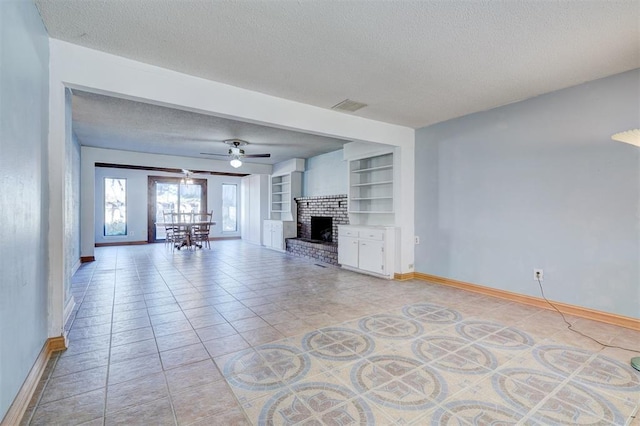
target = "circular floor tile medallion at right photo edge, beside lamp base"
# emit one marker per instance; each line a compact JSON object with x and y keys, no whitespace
{"x":595,"y":370}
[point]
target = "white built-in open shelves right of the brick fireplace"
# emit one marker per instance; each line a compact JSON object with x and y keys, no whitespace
{"x":371,"y":185}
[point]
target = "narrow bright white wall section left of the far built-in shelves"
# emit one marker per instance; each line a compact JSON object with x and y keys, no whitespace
{"x":254,"y":202}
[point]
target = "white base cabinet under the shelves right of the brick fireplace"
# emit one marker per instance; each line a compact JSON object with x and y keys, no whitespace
{"x":367,"y":249}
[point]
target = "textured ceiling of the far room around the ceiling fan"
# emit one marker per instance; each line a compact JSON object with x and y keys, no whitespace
{"x":107,"y":122}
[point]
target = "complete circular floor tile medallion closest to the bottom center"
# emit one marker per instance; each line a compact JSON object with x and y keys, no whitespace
{"x":398,"y":382}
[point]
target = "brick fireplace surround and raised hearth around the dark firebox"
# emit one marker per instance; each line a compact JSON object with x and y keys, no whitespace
{"x":334,"y":206}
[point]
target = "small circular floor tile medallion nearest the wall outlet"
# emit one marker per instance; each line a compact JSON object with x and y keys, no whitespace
{"x":494,"y":335}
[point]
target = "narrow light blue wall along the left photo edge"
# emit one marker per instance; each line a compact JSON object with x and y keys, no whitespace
{"x":24,"y":62}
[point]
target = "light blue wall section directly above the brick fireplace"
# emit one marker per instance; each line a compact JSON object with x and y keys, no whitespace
{"x":325,"y":174}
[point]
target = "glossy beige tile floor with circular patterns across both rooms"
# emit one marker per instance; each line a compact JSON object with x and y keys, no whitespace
{"x":243,"y":335}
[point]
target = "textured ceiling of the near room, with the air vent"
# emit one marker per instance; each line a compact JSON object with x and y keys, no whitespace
{"x":414,"y":62}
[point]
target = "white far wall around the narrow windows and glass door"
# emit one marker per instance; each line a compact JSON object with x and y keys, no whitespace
{"x":137,"y":202}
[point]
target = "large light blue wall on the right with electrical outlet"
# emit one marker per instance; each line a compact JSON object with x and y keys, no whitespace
{"x":537,"y":184}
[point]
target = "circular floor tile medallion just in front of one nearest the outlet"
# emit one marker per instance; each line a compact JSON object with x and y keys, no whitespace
{"x":454,"y":354}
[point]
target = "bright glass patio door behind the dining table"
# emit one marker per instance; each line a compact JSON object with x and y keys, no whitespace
{"x":168,"y":194}
